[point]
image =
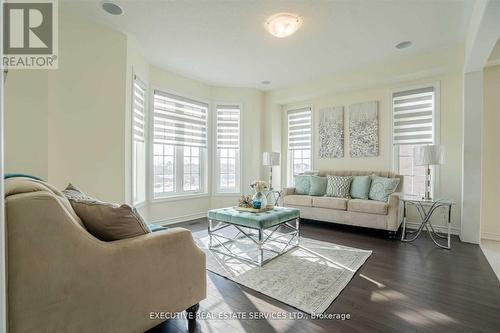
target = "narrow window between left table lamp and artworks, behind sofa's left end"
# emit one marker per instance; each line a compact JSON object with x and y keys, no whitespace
{"x":299,"y":141}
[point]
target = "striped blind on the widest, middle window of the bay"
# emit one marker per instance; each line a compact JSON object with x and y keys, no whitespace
{"x":179,"y":121}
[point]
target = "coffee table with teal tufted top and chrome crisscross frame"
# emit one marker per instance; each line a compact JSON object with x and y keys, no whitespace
{"x":260,"y":228}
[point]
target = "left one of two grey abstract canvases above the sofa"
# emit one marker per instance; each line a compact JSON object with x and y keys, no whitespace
{"x":331,"y":132}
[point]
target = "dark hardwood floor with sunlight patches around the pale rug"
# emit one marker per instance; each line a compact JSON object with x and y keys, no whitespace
{"x":403,"y":287}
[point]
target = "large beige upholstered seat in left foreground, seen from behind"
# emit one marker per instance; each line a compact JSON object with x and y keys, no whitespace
{"x":62,"y":279}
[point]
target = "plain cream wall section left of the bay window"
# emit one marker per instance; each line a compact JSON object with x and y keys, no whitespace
{"x":87,"y":109}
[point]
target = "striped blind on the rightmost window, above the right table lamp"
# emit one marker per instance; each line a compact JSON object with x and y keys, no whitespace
{"x":413,"y":116}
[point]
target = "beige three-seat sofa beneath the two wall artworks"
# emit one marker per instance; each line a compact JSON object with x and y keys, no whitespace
{"x":356,"y":212}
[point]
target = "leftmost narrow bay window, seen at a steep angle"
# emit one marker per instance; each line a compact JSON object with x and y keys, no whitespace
{"x":139,"y":98}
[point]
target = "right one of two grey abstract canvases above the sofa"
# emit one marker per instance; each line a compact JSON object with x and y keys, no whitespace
{"x":363,"y":129}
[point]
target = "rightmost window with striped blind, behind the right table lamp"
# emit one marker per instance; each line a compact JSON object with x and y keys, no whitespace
{"x":414,"y":114}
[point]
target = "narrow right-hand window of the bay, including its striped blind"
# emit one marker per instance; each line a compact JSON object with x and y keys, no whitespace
{"x":228,"y":149}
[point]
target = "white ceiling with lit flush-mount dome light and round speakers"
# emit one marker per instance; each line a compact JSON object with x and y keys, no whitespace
{"x":225,"y":43}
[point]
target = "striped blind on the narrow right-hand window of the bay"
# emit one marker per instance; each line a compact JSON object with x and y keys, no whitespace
{"x":228,"y":126}
